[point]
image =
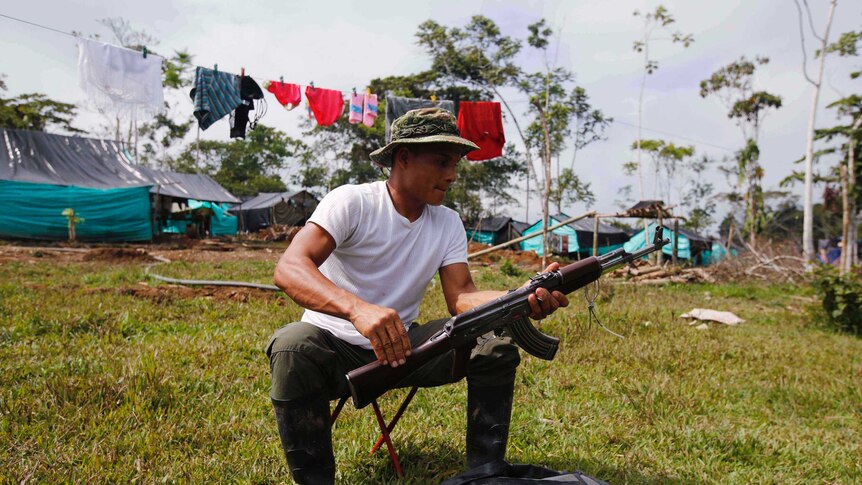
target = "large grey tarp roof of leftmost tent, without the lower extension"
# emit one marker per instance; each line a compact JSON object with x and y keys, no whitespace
{"x":38,"y":157}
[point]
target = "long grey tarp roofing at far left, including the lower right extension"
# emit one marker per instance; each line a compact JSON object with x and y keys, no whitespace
{"x":38,"y":157}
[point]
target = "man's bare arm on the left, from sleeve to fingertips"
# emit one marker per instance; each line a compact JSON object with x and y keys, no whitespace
{"x":297,"y":274}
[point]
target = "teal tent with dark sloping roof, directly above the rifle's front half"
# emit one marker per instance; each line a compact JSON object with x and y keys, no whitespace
{"x":575,"y":237}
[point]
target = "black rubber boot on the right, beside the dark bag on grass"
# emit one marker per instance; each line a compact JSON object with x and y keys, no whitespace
{"x":489,"y":411}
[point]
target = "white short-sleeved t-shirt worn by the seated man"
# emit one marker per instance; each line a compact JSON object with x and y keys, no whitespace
{"x":379,"y":255}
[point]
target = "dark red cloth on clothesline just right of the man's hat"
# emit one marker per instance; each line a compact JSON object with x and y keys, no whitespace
{"x":482,"y":123}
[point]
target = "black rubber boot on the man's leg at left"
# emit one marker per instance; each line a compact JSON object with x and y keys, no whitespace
{"x":305,"y":429}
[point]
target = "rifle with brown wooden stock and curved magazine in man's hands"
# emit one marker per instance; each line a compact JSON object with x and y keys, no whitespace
{"x":508,"y":314}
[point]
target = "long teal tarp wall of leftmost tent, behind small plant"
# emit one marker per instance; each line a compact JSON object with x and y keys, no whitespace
{"x":34,"y":211}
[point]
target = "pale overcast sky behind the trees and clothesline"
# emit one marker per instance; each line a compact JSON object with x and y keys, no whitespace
{"x":345,"y":44}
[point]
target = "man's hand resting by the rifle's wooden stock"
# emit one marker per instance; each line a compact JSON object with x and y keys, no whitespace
{"x":383,"y":327}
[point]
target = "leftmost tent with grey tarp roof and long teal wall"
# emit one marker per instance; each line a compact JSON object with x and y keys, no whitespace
{"x":42,"y":175}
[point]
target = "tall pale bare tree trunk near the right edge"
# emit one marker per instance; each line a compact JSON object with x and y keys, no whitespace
{"x":808,"y":209}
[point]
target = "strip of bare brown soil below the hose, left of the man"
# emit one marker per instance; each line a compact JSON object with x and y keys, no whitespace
{"x":171,"y":293}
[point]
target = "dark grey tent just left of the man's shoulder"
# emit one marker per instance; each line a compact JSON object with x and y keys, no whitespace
{"x":268,"y":208}
